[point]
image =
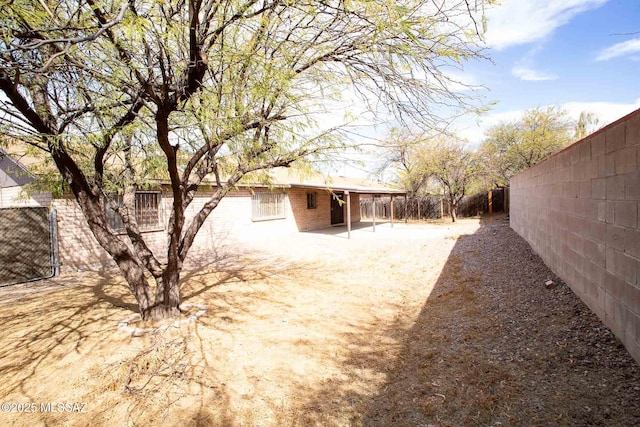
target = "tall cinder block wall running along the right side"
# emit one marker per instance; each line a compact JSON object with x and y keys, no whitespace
{"x":579,"y":210}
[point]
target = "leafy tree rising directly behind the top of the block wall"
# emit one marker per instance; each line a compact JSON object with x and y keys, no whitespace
{"x":511,"y":147}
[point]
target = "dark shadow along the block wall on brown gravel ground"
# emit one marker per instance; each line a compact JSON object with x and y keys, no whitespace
{"x":491,"y":346}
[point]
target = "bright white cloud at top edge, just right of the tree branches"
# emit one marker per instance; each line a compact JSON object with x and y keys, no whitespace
{"x":516,"y":22}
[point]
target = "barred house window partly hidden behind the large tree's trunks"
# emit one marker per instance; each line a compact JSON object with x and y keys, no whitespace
{"x":147,"y":211}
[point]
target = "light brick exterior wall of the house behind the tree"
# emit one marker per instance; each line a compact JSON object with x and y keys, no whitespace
{"x":230,"y":222}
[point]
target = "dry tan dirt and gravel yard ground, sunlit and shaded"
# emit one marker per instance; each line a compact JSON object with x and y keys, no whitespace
{"x":415,"y":325}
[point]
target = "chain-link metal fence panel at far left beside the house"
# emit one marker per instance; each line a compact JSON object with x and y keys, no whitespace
{"x":28,"y":244}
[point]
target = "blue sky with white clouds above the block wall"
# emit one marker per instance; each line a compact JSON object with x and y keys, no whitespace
{"x":580,"y":55}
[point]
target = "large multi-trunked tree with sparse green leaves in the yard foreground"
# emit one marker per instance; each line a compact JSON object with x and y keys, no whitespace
{"x":117,"y":91}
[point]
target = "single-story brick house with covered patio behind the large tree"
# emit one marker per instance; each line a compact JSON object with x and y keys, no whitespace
{"x":291,"y":203}
